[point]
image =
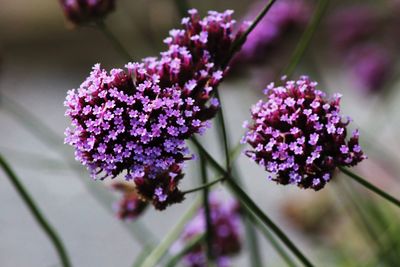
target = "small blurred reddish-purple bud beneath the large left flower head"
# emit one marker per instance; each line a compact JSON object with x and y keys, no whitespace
{"x":130,"y":205}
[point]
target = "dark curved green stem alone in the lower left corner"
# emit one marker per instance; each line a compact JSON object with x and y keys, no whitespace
{"x":37,"y":214}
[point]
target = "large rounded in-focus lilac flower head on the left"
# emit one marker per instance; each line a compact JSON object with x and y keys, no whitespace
{"x":120,"y":125}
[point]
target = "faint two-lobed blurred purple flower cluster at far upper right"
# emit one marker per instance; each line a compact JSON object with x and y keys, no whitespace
{"x":356,"y":37}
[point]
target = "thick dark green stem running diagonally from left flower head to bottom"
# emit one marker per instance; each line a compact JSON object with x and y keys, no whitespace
{"x":251,"y":206}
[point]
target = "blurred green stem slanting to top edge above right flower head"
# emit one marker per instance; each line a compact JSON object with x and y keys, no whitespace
{"x":306,"y":37}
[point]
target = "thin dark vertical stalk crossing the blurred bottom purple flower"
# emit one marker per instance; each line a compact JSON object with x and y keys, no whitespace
{"x":207,"y":211}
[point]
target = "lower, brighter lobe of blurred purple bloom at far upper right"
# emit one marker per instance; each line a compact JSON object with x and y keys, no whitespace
{"x":371,"y":65}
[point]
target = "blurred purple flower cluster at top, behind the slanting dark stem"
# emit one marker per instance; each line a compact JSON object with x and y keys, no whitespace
{"x":284,"y":16}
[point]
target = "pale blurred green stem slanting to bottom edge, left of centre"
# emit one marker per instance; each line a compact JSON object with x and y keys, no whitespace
{"x":159,"y":251}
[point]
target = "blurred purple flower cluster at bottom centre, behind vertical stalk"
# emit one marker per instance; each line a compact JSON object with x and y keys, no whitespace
{"x":226,"y":242}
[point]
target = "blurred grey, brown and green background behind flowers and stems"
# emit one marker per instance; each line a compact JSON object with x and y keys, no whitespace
{"x":355,"y":51}
